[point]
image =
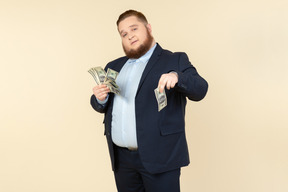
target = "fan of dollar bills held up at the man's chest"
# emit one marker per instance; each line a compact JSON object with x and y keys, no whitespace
{"x":109,"y":78}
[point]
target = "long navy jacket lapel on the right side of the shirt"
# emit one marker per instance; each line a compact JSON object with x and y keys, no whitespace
{"x":155,"y":56}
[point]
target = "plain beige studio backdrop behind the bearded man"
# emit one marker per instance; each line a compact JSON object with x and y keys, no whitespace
{"x":52,"y":140}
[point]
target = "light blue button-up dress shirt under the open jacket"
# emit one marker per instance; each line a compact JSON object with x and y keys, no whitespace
{"x":123,"y":114}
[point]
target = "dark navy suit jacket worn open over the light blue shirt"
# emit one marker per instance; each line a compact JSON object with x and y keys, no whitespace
{"x":161,"y":137}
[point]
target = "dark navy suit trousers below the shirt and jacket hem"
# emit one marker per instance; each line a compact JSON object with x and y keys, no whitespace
{"x":131,"y":176}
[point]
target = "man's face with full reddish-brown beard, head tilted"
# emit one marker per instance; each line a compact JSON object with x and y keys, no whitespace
{"x":136,"y":37}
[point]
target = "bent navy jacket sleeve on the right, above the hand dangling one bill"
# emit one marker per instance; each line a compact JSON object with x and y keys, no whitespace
{"x":190,"y":83}
